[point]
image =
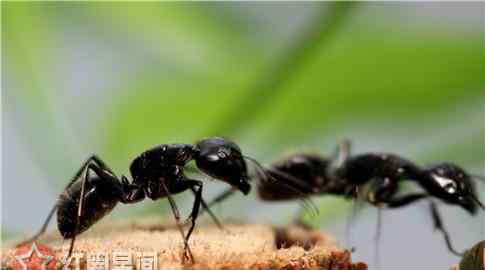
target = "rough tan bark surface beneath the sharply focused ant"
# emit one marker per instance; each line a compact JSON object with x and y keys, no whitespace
{"x":238,"y":247}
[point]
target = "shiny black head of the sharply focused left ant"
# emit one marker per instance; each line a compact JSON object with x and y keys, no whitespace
{"x":223,"y":160}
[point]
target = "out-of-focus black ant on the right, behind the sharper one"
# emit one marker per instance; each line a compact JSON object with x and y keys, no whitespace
{"x":376,"y":176}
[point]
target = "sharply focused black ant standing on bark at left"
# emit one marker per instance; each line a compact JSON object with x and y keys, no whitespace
{"x":157,"y":173}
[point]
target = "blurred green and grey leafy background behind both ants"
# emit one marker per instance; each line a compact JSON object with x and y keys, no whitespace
{"x":117,"y":78}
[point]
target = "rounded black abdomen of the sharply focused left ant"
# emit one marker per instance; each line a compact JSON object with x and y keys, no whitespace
{"x":99,"y":200}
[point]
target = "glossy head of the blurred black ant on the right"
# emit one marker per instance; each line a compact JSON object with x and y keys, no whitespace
{"x":453,"y":185}
